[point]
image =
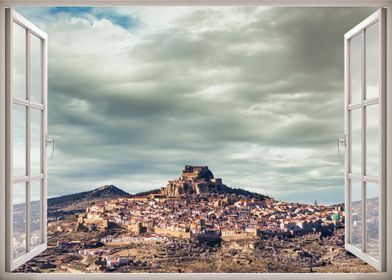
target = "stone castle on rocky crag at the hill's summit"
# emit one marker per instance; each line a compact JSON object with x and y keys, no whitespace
{"x":194,"y":180}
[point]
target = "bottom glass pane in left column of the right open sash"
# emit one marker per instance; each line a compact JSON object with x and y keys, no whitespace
{"x":356,"y":214}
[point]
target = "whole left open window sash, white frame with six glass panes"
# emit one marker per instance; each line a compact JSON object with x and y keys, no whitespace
{"x":26,"y":133}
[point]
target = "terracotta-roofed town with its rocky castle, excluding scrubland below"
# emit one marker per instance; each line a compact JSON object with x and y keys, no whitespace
{"x":200,"y":206}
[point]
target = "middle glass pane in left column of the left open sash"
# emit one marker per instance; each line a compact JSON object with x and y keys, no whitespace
{"x":19,"y":140}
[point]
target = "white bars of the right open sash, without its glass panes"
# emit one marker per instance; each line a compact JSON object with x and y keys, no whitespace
{"x":376,"y":17}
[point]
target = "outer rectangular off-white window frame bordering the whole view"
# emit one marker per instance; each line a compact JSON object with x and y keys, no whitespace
{"x":387,"y":275}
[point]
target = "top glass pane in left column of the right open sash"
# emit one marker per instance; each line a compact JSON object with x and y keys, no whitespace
{"x":355,"y":69}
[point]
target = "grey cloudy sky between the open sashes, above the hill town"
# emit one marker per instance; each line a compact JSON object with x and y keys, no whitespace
{"x":254,"y":93}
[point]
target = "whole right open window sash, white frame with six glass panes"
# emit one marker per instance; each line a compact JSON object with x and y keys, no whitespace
{"x":366,"y":131}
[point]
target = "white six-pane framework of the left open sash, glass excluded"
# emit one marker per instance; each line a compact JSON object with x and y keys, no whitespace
{"x":14,"y":18}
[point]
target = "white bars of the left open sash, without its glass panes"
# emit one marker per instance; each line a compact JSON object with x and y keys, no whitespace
{"x":31,"y":251}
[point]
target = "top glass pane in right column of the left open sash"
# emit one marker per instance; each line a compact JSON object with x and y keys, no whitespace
{"x":35,"y":69}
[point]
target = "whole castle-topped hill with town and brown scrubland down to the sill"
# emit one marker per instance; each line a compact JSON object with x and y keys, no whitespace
{"x":197,"y":224}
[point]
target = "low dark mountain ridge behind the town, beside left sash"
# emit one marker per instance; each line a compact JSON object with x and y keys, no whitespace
{"x":80,"y":200}
